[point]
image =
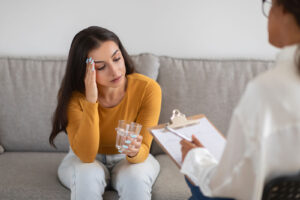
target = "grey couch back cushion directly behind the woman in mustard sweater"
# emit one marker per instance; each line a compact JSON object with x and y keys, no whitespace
{"x":28,"y":98}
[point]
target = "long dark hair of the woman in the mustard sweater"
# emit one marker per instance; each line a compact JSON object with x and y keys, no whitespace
{"x":83,"y":42}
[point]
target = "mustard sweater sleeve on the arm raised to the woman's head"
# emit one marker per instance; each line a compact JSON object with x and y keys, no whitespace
{"x":83,"y":128}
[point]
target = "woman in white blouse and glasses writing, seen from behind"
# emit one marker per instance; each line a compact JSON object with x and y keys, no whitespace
{"x":264,"y":136}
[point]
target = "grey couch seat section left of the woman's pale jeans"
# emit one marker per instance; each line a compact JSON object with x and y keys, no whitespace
{"x":31,"y":176}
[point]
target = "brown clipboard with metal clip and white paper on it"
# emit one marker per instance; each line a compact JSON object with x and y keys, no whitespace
{"x":169,"y":135}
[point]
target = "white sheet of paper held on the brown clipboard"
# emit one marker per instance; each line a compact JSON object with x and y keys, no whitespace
{"x":205,"y":132}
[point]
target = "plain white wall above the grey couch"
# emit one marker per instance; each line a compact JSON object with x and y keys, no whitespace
{"x":179,"y":28}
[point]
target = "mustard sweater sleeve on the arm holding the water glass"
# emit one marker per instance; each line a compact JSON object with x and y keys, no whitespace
{"x":148,"y":116}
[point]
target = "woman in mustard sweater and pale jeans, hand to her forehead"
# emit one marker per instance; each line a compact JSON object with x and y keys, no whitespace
{"x":99,"y":89}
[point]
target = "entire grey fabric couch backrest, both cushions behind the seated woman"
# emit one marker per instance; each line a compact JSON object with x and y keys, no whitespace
{"x":29,"y":86}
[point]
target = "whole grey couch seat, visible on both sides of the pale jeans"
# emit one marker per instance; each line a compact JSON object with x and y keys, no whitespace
{"x":33,"y":175}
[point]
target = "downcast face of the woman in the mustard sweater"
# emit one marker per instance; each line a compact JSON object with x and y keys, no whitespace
{"x":109,"y":65}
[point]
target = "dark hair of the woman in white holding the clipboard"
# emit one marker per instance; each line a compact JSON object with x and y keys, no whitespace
{"x":293,"y":7}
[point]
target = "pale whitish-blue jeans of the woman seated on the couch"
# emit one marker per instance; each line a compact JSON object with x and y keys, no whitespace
{"x":88,"y":180}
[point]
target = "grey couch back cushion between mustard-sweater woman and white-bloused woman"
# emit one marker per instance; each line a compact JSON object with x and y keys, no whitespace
{"x":210,"y":87}
